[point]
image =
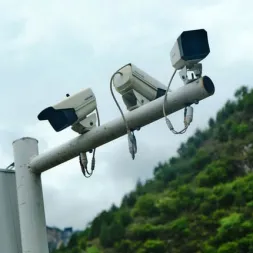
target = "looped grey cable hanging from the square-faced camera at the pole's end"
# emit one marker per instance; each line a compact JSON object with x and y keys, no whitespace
{"x":188,"y":111}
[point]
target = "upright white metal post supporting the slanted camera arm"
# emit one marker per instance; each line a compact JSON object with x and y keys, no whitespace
{"x":30,"y":198}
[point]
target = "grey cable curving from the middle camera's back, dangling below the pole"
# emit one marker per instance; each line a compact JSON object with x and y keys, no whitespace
{"x":132,"y":143}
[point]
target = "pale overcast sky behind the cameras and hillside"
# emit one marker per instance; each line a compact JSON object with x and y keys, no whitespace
{"x":53,"y":47}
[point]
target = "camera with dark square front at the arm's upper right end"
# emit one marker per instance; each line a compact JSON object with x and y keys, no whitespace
{"x":190,"y":48}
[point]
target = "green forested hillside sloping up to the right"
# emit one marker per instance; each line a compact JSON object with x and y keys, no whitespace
{"x":199,"y":201}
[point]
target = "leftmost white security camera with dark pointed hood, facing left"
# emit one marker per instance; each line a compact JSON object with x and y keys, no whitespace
{"x":72,"y":111}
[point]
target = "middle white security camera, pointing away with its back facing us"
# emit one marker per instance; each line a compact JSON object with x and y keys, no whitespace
{"x":136,"y":87}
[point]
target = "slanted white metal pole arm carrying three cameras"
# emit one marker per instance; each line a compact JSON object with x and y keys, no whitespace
{"x":144,"y":115}
